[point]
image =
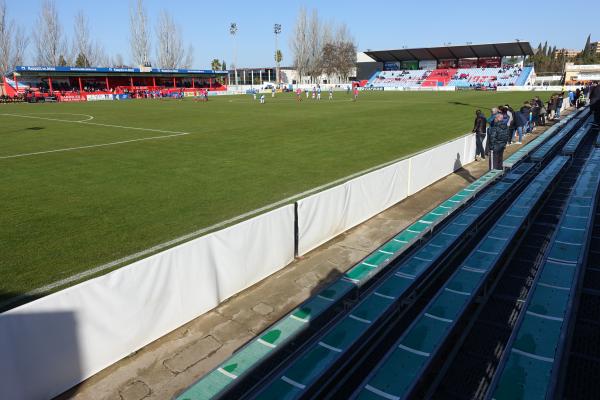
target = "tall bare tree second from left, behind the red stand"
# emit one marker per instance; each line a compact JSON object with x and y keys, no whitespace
{"x":48,"y":36}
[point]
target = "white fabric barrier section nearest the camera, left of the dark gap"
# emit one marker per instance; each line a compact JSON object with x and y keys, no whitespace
{"x":49,"y":345}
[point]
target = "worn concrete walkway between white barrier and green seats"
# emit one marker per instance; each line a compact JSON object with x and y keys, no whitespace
{"x":167,"y":366}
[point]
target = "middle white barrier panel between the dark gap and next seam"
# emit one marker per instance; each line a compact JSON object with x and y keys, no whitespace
{"x":333,"y":211}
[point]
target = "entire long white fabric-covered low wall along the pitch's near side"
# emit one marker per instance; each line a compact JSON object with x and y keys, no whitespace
{"x":49,"y":345}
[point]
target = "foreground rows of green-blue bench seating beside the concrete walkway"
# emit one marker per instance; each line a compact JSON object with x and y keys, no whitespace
{"x":484,"y":290}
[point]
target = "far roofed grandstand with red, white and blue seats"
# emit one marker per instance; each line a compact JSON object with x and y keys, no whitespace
{"x":468,"y":66}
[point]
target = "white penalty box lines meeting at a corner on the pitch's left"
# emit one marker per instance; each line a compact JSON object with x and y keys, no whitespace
{"x":171,"y":134}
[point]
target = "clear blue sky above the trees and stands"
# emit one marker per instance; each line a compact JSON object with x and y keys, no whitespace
{"x":376,"y":25}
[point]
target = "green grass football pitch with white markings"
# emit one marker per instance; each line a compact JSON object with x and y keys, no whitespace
{"x":85,"y":184}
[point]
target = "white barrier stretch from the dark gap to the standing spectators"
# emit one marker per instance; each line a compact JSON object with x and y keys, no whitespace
{"x":324,"y":215}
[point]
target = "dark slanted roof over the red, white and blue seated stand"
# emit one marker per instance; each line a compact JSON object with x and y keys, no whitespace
{"x":454,"y":52}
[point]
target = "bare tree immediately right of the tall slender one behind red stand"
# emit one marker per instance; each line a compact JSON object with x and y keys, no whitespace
{"x":169,"y":47}
